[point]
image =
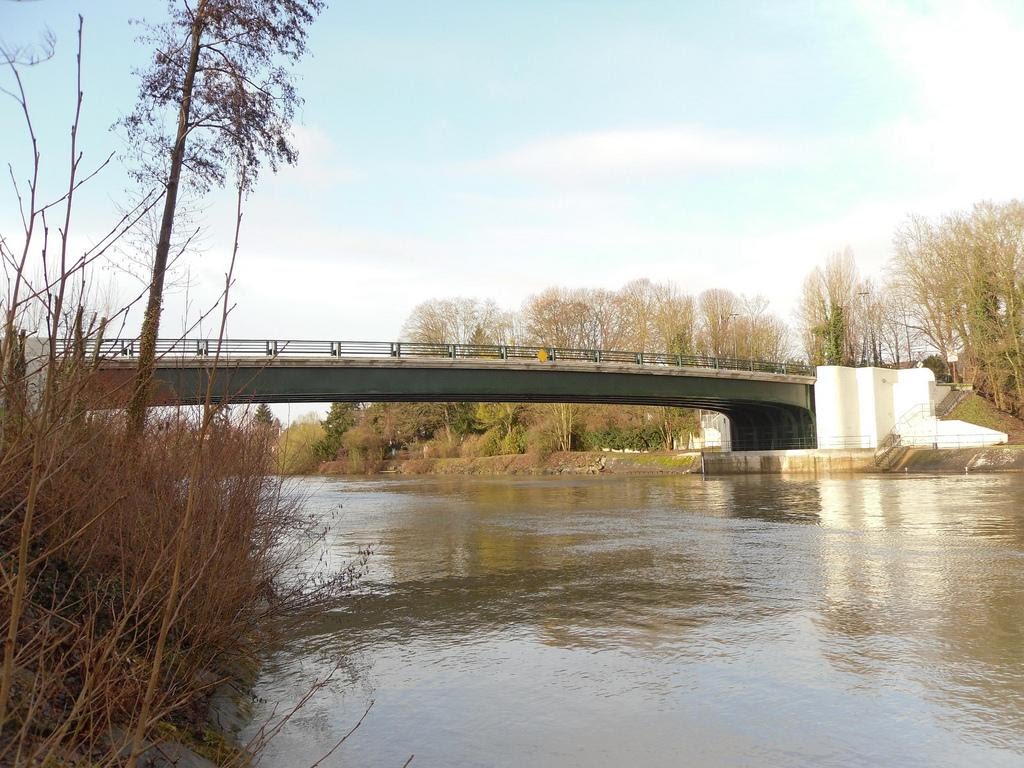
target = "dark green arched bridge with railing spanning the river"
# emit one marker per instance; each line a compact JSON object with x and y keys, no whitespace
{"x":770,"y":405}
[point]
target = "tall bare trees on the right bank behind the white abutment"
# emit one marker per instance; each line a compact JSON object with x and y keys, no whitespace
{"x":955,"y":288}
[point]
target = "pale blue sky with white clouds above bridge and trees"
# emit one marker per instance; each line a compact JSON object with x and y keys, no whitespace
{"x":494,"y":149}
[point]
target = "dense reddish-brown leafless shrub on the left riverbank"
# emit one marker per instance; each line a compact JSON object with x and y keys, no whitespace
{"x":137,"y":566}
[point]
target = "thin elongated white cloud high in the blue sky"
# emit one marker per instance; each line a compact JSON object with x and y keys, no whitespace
{"x":625,"y":153}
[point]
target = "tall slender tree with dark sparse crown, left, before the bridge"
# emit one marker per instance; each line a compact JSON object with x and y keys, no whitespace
{"x":212,"y":63}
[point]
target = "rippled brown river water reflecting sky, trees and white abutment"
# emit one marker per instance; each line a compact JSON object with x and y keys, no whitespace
{"x":751,"y":621}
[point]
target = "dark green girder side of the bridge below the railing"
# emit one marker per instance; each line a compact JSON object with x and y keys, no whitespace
{"x":766,"y":411}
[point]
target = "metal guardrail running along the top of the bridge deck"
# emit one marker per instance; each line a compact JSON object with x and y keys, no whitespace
{"x":263,"y":349}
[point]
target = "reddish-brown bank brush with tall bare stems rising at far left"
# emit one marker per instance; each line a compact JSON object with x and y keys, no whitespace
{"x":136,"y":570}
